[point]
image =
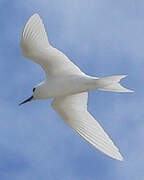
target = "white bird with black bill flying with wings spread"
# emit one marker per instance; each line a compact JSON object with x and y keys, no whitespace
{"x":68,"y":86}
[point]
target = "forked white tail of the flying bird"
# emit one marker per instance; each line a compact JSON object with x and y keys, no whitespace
{"x":112,"y":83}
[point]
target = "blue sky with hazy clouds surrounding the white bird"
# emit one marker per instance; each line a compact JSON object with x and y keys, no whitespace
{"x":102,"y":38}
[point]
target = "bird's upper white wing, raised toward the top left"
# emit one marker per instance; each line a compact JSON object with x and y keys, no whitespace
{"x":35,"y":46}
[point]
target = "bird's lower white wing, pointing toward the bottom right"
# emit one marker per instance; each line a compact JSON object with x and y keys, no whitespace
{"x":73,"y":110}
